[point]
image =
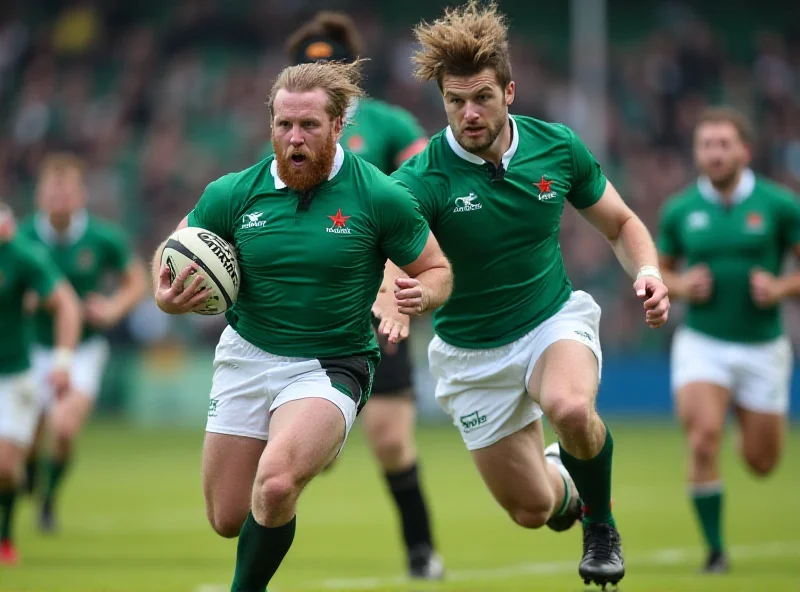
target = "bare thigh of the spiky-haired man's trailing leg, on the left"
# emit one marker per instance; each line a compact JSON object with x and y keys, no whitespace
{"x":515,"y":471}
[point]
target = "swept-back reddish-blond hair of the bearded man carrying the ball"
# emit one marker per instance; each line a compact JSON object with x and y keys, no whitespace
{"x":339,"y":80}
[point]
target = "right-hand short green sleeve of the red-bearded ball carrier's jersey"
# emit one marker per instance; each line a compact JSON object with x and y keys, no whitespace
{"x":401,"y":227}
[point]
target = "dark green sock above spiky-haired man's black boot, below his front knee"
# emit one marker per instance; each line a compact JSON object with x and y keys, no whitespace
{"x":593,"y":479}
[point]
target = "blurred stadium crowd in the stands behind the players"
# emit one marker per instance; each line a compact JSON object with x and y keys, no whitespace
{"x":160,"y":98}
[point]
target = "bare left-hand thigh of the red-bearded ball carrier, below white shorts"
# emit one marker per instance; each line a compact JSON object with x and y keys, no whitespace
{"x":229,"y":470}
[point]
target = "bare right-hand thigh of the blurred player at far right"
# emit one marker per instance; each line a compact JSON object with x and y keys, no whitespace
{"x":761,"y":438}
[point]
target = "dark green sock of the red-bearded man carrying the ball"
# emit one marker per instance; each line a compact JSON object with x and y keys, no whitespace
{"x":260,"y":552}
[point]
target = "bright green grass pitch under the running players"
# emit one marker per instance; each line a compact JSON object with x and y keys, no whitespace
{"x":133,"y":520}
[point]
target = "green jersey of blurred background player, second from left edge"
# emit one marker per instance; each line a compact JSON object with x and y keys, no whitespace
{"x":89,"y":250}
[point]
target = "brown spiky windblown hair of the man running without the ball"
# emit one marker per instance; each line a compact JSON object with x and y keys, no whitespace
{"x":465,"y":41}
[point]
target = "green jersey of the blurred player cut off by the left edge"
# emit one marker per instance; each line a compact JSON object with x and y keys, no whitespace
{"x":24,"y":266}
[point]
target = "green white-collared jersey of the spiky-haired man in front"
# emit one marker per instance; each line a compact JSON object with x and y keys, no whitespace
{"x":501,"y":236}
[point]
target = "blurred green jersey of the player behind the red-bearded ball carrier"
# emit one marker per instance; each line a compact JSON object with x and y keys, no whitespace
{"x":378,"y":133}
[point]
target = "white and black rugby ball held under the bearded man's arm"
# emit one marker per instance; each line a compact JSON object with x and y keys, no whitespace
{"x":215,"y":259}
